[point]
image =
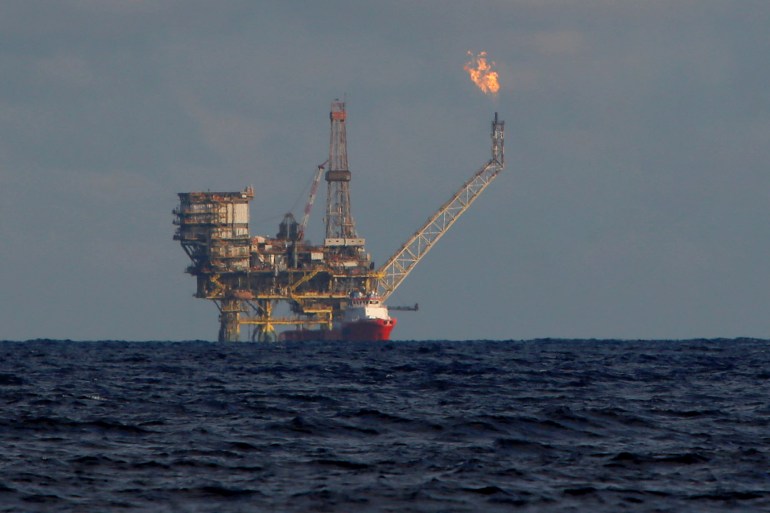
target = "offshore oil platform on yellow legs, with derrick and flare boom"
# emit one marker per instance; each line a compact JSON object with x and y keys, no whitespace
{"x":249,"y":277}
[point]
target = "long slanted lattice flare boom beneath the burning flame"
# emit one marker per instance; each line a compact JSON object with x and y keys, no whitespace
{"x":398,"y":266}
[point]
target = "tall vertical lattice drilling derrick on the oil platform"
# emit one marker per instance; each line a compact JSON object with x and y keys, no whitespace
{"x":340,"y":227}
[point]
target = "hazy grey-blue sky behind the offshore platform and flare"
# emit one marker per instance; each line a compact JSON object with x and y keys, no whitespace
{"x":634,"y":203}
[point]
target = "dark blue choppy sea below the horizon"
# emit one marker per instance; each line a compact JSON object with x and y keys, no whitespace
{"x":537,"y":426}
